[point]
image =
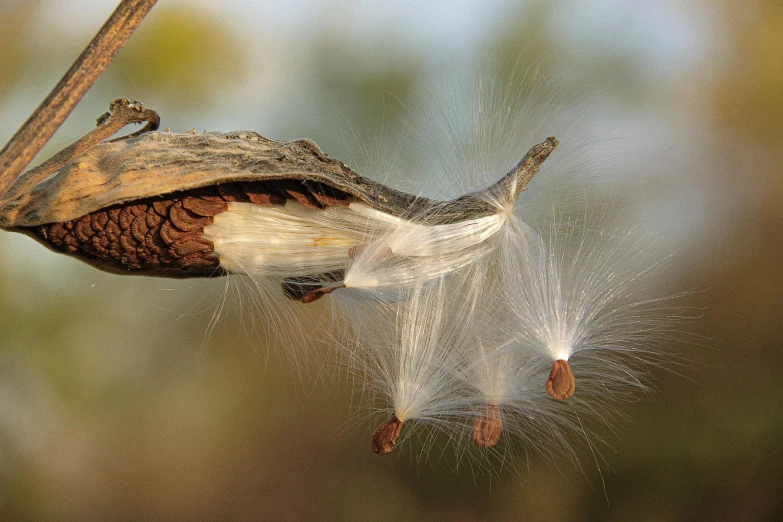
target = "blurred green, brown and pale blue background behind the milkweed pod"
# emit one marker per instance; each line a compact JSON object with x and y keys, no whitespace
{"x":116,"y":403}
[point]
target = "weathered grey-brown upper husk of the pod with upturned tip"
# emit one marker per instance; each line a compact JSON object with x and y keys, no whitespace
{"x":152,"y":164}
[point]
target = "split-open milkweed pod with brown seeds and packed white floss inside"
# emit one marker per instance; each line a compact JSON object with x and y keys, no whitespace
{"x":200,"y":205}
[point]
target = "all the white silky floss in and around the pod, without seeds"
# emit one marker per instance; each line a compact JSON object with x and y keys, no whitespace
{"x":446,"y":319}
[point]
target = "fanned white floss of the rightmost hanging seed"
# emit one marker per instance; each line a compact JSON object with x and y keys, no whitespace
{"x":590,"y":290}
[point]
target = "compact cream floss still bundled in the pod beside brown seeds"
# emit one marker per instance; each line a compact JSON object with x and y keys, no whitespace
{"x":293,"y":240}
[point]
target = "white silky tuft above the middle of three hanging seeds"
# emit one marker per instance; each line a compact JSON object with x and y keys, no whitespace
{"x":500,"y":371}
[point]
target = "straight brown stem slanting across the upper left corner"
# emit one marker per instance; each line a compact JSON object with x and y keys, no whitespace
{"x":47,"y":118}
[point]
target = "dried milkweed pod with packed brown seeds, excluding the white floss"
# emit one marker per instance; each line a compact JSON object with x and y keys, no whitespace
{"x":153,"y":174}
